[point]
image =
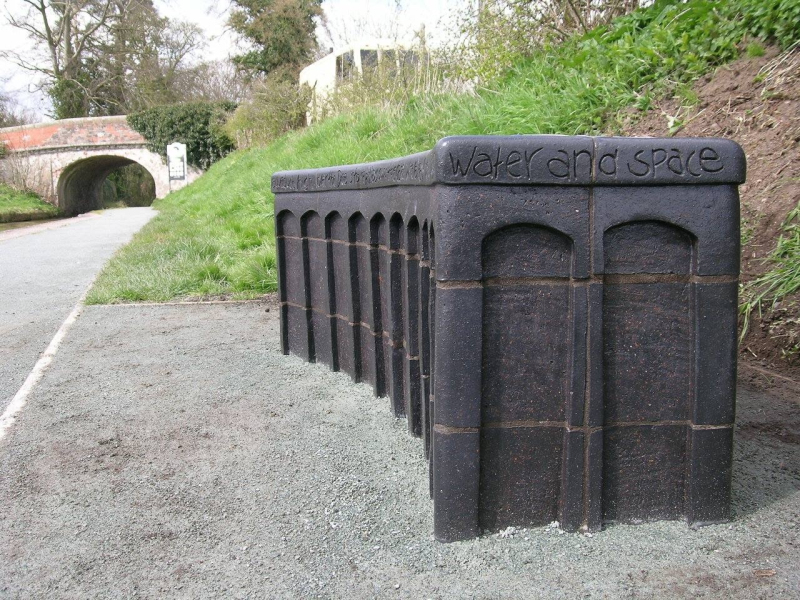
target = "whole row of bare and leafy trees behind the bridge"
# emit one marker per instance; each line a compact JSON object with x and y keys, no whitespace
{"x":109,"y":57}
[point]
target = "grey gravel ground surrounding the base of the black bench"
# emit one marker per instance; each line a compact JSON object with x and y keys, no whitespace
{"x":173,"y":452}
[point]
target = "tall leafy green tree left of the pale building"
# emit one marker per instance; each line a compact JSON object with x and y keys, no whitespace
{"x":280,"y":31}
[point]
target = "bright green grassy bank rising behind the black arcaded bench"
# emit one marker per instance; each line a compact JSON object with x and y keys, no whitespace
{"x":216,"y":236}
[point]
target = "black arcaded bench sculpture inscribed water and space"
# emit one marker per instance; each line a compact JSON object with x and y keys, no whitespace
{"x":555,"y":316}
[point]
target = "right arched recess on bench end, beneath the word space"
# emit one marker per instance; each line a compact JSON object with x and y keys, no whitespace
{"x":647,"y":371}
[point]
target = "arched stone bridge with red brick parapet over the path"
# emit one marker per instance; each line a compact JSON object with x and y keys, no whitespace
{"x":67,"y":161}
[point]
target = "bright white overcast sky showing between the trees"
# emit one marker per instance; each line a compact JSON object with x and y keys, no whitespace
{"x":348,"y":20}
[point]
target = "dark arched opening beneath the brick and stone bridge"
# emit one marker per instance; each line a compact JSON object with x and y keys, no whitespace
{"x":90,"y":183}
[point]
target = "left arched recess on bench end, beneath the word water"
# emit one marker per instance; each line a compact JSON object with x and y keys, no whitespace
{"x":527,"y":327}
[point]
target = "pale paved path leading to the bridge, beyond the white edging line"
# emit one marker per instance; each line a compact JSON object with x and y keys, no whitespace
{"x":43,"y":273}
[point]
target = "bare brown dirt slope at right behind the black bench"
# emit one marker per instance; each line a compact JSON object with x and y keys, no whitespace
{"x":757,"y":103}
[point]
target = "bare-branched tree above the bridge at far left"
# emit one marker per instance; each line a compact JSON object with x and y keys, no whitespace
{"x":105,"y":57}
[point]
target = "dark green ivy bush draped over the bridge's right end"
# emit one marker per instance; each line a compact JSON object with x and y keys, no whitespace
{"x":199,"y":125}
